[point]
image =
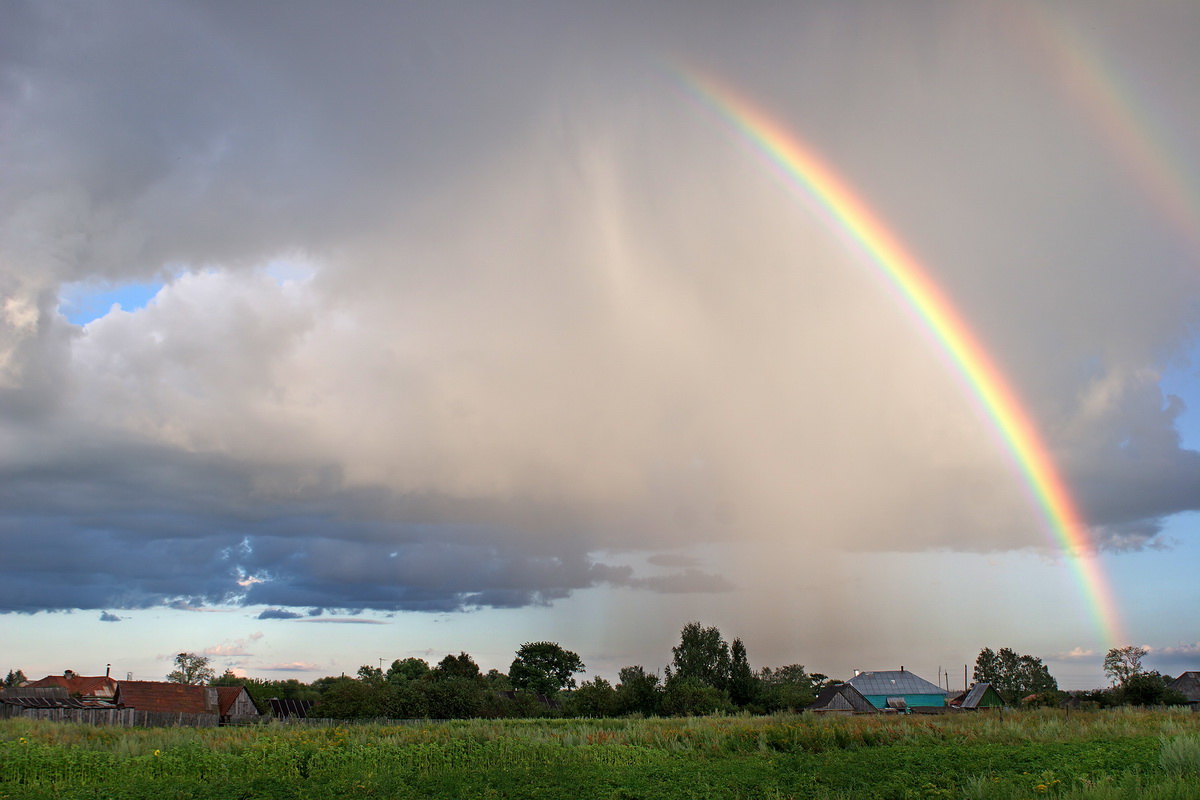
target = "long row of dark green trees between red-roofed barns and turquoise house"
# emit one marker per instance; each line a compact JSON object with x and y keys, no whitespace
{"x":706,"y":676}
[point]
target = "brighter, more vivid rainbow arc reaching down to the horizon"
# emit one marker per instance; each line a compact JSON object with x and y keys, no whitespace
{"x":850,"y":216}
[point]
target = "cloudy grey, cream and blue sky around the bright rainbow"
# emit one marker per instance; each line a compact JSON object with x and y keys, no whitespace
{"x":467,"y":324}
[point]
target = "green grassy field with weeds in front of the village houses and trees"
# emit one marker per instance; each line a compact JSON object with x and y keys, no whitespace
{"x":1153,"y":755}
